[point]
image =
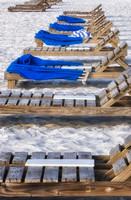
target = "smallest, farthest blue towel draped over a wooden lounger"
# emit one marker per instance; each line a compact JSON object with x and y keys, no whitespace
{"x":70,"y":19}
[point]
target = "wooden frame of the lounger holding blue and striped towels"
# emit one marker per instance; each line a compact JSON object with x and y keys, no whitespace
{"x":97,"y":36}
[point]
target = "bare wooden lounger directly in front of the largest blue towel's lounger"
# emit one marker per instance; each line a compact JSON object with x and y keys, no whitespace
{"x":110,"y":102}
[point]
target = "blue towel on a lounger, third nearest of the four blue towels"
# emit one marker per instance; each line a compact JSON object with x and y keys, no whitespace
{"x":63,"y":27}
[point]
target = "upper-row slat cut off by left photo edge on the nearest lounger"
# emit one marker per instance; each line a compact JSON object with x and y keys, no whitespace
{"x":5,"y":157}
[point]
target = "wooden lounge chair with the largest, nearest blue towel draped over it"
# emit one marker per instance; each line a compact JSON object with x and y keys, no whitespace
{"x":101,"y":70}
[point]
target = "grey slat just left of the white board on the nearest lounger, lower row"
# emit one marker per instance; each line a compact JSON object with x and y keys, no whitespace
{"x":15,"y":174}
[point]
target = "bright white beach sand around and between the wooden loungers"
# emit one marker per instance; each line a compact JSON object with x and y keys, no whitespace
{"x":35,"y":133}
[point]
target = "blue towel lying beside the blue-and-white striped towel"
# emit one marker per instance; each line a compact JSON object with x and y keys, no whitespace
{"x":57,"y":39}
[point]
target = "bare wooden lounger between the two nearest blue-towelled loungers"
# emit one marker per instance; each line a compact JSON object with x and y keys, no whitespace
{"x":73,"y":50}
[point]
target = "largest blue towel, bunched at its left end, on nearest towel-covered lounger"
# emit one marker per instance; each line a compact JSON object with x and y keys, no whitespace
{"x":30,"y":67}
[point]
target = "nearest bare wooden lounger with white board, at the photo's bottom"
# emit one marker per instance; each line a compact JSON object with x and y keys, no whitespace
{"x":22,"y":174}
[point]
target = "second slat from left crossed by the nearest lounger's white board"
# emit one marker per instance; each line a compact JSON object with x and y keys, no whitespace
{"x":51,"y":174}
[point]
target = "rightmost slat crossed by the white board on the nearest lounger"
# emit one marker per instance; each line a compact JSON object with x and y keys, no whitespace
{"x":86,"y":174}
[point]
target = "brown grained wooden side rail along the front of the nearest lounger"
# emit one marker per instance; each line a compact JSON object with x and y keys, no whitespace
{"x":66,"y":189}
